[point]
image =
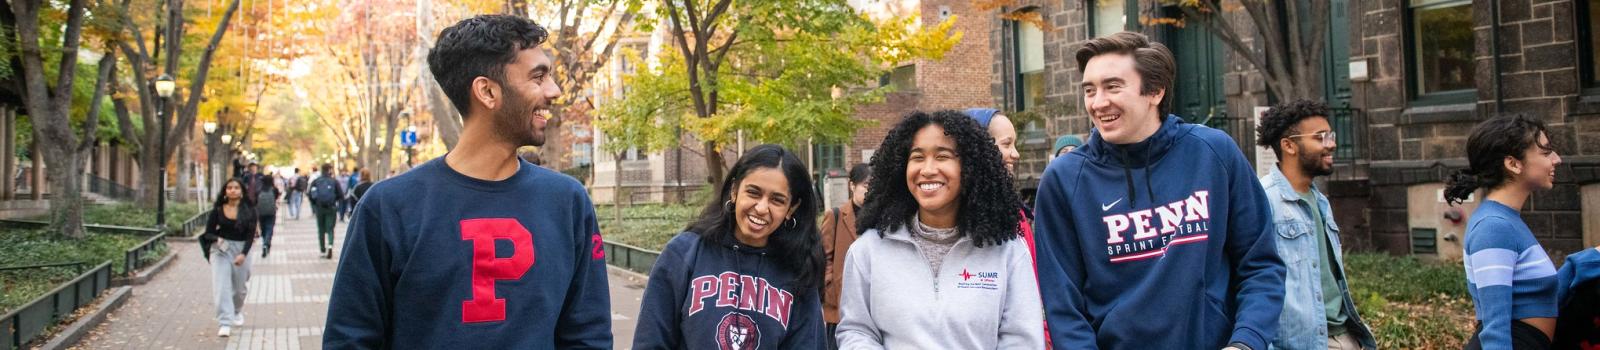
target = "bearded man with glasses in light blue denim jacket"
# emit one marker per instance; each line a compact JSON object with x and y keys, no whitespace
{"x":1318,"y":306}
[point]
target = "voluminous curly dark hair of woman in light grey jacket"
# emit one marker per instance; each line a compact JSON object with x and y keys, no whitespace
{"x":990,"y":207}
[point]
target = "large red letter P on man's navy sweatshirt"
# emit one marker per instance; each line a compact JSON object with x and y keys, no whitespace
{"x":489,"y":269}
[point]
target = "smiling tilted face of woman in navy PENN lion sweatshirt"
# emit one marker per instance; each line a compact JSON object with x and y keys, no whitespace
{"x":761,"y":205}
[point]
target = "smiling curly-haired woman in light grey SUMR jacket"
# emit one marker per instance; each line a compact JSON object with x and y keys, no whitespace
{"x":938,"y":264}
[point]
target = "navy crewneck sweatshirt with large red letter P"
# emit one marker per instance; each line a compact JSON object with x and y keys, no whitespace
{"x":436,"y":260}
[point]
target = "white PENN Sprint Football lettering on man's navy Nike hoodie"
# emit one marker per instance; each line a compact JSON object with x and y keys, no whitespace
{"x":1156,"y":229}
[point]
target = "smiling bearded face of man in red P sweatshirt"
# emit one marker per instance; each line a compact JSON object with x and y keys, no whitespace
{"x":526,"y":97}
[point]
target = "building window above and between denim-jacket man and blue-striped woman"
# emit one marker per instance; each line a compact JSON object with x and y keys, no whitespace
{"x":1442,"y":47}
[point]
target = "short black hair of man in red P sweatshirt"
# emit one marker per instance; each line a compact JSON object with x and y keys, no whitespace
{"x":479,"y":47}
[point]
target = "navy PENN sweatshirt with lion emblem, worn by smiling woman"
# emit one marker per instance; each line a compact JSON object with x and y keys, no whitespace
{"x":726,"y":296}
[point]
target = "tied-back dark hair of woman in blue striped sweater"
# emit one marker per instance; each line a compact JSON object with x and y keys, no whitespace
{"x":1487,"y":149}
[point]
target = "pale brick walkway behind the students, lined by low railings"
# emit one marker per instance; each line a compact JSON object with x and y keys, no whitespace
{"x":287,"y":303}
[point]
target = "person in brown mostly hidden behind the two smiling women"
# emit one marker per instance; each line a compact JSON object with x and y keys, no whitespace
{"x":839,"y":233}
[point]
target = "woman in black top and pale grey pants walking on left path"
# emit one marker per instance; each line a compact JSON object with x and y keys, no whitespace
{"x":230,"y":233}
